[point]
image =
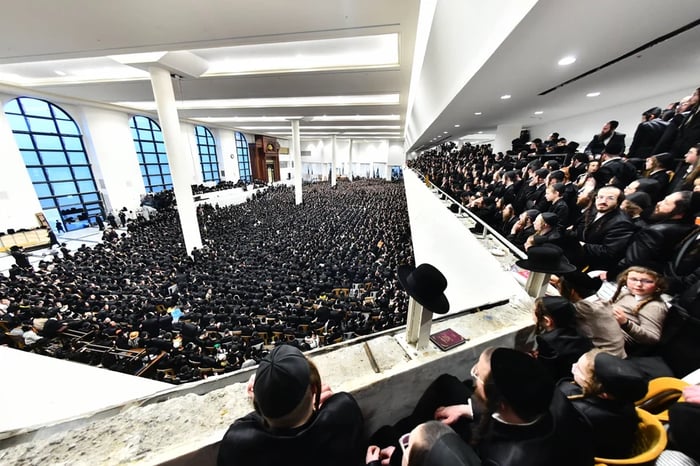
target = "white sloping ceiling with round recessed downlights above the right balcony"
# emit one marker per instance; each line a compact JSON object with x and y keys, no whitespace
{"x":595,"y":32}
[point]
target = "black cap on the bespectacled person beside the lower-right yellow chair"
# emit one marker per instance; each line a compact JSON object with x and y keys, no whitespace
{"x":620,"y":378}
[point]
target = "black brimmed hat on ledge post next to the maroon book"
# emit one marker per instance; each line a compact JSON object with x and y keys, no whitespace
{"x":426,"y":285}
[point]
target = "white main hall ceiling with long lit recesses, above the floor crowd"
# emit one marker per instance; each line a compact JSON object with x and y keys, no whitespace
{"x":346,"y":60}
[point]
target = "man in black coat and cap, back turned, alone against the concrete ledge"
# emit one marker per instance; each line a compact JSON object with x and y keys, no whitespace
{"x":295,"y":421}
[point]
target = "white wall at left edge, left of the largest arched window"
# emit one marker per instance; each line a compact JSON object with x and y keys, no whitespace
{"x":18,"y":200}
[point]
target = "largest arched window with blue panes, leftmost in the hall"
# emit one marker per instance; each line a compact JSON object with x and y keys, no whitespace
{"x":52,"y":148}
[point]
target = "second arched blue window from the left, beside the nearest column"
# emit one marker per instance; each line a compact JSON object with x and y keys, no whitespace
{"x":153,"y":159}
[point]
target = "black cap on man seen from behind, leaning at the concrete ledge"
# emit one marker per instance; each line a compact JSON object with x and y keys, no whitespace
{"x":281,"y":381}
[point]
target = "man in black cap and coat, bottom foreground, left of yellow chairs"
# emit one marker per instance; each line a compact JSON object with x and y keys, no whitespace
{"x":532,"y":424}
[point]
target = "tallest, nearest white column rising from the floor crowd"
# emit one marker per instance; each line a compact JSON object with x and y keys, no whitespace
{"x":180,"y":167}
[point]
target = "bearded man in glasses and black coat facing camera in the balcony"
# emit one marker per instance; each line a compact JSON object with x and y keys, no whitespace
{"x":604,"y":231}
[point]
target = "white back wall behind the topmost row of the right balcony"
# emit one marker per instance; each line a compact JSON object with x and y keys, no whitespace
{"x":581,"y":128}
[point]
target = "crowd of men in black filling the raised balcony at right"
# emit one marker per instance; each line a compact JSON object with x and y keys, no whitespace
{"x":534,"y":197}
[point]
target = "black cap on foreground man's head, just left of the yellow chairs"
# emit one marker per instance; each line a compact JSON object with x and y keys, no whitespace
{"x":523,"y":381}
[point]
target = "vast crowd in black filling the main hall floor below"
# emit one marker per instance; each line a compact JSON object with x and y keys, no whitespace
{"x":266,"y":274}
